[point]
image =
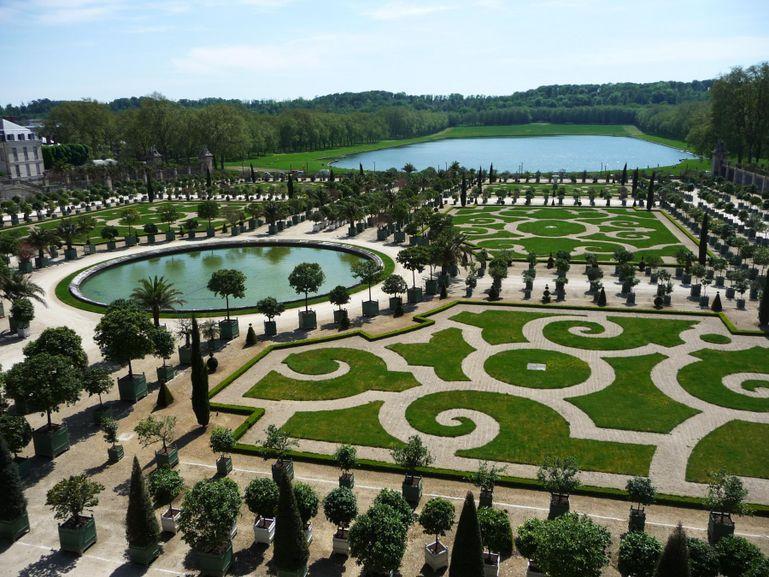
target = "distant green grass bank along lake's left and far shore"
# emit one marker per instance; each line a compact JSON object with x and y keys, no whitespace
{"x":315,"y":160}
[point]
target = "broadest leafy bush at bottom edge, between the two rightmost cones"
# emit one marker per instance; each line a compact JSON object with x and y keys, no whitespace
{"x":572,"y":546}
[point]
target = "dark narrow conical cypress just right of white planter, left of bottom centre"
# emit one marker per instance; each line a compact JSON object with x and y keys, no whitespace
{"x":291,"y":552}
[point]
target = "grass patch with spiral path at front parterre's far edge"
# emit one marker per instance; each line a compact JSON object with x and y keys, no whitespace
{"x":636,"y":332}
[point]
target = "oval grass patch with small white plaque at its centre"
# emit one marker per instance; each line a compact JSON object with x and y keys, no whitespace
{"x":562,"y":370}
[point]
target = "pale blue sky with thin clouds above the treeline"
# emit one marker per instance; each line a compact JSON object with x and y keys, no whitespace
{"x":254,"y":49}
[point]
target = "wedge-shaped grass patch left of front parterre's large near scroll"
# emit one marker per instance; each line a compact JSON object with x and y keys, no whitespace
{"x":356,"y":426}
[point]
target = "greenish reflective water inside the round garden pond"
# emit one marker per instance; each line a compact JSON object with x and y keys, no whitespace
{"x":266,"y":269}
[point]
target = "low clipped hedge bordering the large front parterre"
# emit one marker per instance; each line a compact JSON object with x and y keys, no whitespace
{"x":421,"y":321}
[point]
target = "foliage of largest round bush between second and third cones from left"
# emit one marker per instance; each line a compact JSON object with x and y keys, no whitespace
{"x":208,"y":512}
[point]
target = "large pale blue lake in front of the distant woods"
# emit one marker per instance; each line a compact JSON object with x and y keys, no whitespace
{"x":545,"y":153}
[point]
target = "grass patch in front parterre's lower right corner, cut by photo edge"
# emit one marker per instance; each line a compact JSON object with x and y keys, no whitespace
{"x":738,"y":447}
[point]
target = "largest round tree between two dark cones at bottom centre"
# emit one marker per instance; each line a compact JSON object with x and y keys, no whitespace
{"x":378,"y":540}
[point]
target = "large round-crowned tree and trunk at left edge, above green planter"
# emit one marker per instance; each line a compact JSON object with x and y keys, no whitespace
{"x":44,"y":382}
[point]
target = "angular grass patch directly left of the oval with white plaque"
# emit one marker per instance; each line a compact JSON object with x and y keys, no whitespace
{"x":445,"y":353}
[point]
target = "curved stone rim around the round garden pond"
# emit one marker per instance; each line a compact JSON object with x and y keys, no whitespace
{"x":74,"y":286}
